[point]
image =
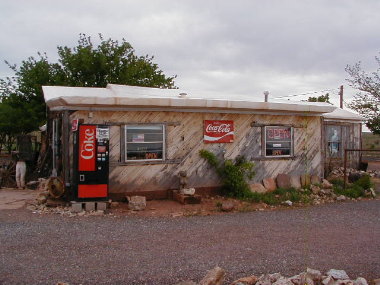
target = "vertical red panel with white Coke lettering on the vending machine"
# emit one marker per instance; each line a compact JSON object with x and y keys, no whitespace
{"x":87,"y":143}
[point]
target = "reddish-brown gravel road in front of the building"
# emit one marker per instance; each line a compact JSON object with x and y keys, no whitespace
{"x":46,"y":249}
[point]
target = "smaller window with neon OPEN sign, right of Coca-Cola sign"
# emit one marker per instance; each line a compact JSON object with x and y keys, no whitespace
{"x":278,"y":141}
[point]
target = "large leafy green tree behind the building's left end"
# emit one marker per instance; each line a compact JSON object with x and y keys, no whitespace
{"x":85,"y":65}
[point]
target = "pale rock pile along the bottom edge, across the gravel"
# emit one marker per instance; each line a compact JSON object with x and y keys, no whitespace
{"x":217,"y":275}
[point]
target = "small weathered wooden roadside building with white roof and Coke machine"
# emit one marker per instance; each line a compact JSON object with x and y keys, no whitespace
{"x":131,"y":140}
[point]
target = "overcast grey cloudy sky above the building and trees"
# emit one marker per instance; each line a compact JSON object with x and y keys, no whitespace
{"x":232,"y":47}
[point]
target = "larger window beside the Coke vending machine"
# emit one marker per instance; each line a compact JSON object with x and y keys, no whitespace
{"x":144,"y":142}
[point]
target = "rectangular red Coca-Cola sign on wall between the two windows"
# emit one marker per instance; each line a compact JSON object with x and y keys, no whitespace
{"x":218,"y":131}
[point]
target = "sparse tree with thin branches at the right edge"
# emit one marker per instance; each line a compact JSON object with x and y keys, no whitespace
{"x":367,"y":101}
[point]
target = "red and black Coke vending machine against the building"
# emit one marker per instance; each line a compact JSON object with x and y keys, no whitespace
{"x":91,"y":161}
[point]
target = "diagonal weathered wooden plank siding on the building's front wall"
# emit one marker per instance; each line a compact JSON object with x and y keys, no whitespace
{"x":185,"y":140}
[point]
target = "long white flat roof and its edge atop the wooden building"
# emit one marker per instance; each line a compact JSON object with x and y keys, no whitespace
{"x":132,"y":96}
